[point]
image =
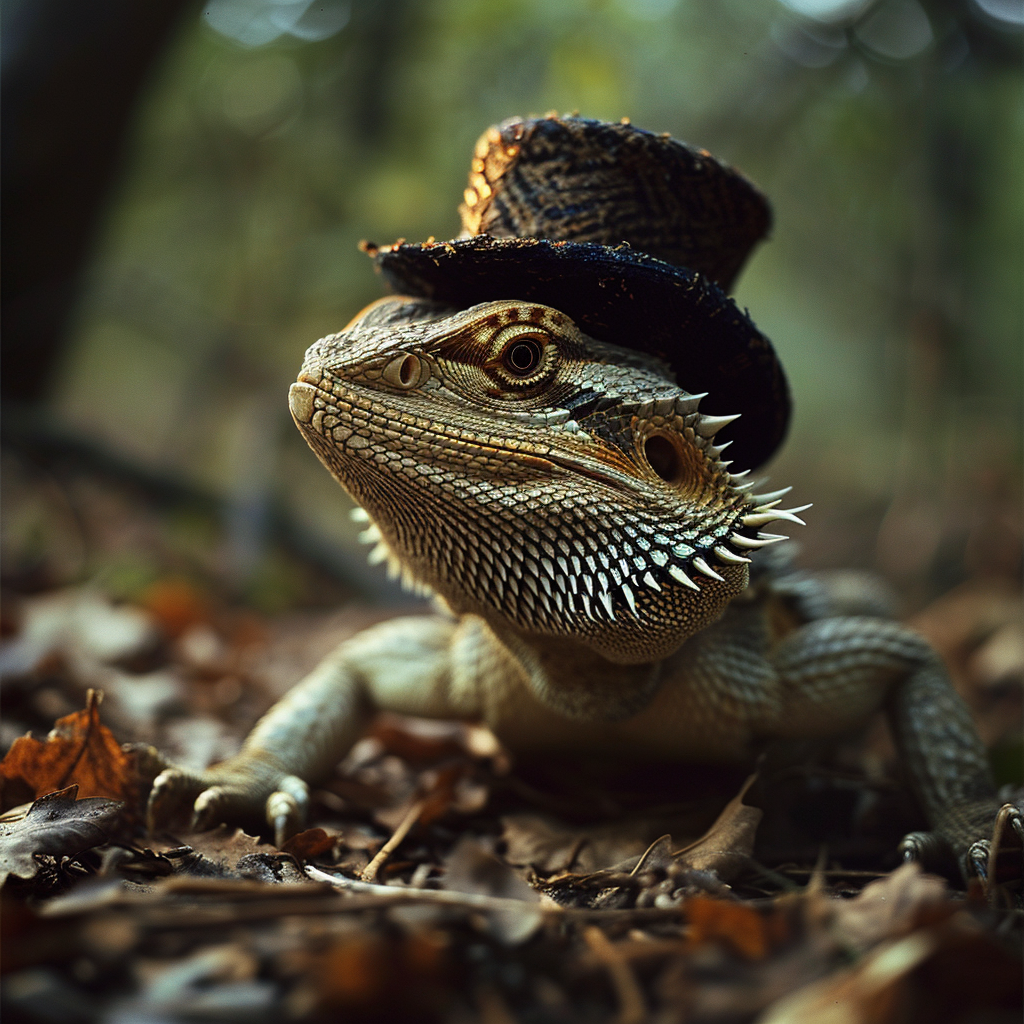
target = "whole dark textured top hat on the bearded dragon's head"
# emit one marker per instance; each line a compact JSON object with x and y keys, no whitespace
{"x":632,"y":235}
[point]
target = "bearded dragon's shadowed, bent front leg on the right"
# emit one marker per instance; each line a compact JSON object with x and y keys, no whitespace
{"x":832,"y":673}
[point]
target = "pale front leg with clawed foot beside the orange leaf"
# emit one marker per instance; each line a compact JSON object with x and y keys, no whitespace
{"x":403,"y":666}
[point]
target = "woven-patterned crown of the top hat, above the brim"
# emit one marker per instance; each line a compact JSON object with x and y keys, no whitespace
{"x":574,"y":180}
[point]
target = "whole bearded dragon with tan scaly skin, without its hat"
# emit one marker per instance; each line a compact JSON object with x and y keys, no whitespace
{"x":566,"y":501}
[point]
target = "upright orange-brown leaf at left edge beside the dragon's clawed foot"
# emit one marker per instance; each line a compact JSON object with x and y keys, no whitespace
{"x":79,"y":751}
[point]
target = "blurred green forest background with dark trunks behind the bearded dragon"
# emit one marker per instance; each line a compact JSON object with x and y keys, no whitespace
{"x":176,"y":243}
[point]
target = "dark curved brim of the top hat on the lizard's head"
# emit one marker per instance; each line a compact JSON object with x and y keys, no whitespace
{"x":625,"y":298}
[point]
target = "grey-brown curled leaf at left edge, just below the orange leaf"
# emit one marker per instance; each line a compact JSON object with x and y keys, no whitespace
{"x":57,"y":825}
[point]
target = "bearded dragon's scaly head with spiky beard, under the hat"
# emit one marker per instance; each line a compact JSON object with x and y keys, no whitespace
{"x":531,"y":475}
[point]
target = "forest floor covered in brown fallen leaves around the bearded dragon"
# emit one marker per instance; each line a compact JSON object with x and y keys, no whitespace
{"x":440,"y":880}
